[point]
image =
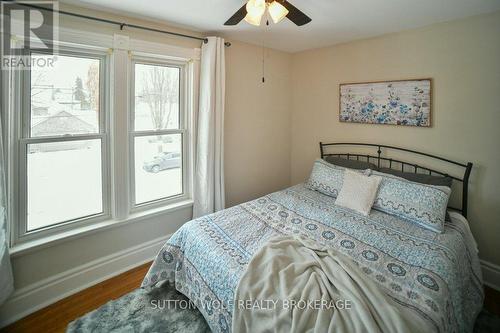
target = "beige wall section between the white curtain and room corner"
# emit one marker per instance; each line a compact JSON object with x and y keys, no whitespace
{"x":257,"y":123}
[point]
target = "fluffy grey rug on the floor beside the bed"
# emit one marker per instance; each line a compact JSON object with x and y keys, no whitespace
{"x":165,"y":310}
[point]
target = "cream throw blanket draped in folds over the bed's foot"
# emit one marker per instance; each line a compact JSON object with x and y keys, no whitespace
{"x":330,"y":292}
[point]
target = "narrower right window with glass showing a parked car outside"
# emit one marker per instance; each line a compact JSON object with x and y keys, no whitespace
{"x":158,"y":130}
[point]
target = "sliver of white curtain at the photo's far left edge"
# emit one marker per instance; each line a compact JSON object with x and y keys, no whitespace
{"x":6,"y":280}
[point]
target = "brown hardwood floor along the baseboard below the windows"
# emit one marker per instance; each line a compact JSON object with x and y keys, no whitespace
{"x":57,"y":316}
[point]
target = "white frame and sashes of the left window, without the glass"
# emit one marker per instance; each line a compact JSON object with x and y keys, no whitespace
{"x":23,"y":138}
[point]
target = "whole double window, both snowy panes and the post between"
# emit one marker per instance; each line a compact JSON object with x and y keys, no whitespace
{"x":83,"y":151}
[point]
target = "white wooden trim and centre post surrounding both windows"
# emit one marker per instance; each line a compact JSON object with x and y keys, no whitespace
{"x":119,"y":50}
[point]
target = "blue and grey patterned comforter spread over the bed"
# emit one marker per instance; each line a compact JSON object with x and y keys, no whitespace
{"x":436,"y":275}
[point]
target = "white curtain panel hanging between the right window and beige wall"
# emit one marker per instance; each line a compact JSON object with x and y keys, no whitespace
{"x":209,"y":194}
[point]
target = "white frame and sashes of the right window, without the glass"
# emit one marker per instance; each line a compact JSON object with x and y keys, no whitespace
{"x":184,"y":129}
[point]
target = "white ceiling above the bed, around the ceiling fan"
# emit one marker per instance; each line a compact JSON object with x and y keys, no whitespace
{"x":333,"y":21}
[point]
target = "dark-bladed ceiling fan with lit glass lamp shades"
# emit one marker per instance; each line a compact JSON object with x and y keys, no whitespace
{"x":253,"y":11}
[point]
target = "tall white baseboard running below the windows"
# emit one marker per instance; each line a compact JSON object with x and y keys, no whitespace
{"x":48,"y":291}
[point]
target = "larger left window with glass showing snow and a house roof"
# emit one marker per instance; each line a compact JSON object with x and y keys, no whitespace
{"x":62,"y":142}
